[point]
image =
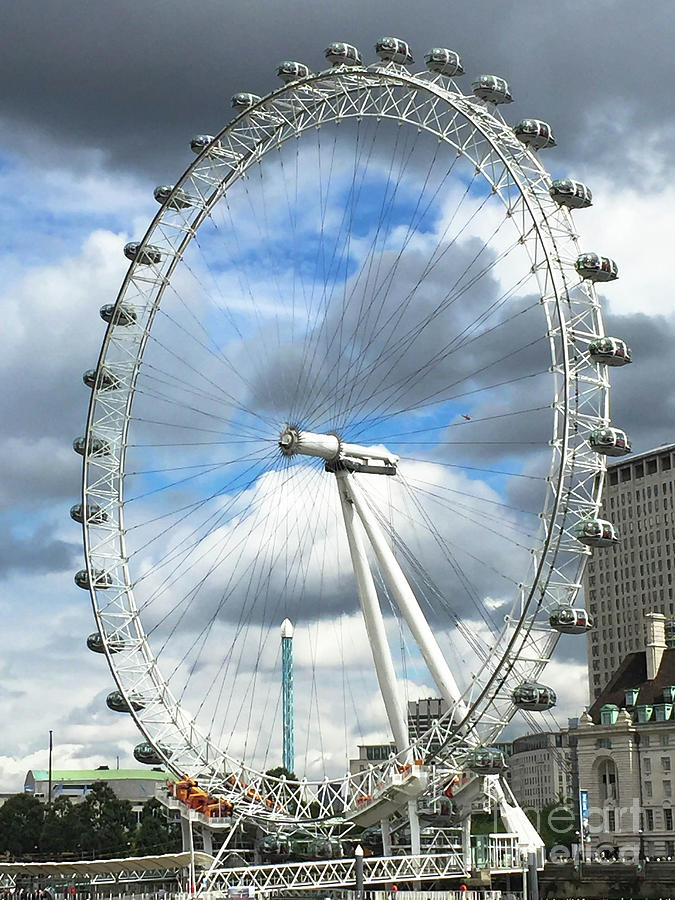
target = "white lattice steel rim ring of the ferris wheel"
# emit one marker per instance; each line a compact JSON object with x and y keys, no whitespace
{"x":572,"y":317}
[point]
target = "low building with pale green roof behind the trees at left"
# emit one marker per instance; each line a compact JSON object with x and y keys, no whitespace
{"x":135,"y":785}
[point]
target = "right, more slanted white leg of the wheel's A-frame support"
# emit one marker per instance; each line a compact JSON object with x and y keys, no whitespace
{"x":406,"y":600}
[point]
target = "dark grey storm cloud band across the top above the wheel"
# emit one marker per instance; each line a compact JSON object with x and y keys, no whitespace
{"x":138,"y":79}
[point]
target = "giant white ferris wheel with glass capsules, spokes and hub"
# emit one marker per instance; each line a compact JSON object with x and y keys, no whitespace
{"x":356,"y":378}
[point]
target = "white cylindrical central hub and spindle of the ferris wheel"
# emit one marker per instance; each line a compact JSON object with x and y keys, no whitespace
{"x":329,"y":447}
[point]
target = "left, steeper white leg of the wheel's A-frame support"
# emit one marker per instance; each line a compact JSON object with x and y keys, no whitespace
{"x":374,"y":621}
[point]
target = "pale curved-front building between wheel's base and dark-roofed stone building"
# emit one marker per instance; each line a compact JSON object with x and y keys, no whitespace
{"x":541,"y":769}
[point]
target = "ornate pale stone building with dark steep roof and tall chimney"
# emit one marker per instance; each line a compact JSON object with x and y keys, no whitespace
{"x":626,"y":753}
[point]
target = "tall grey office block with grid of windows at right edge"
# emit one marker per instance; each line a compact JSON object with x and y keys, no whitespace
{"x":635,"y":576}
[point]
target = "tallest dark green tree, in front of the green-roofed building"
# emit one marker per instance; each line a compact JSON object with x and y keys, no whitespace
{"x":105,"y":823}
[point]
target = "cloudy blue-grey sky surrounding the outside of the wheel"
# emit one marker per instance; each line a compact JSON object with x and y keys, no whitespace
{"x":100,"y":106}
